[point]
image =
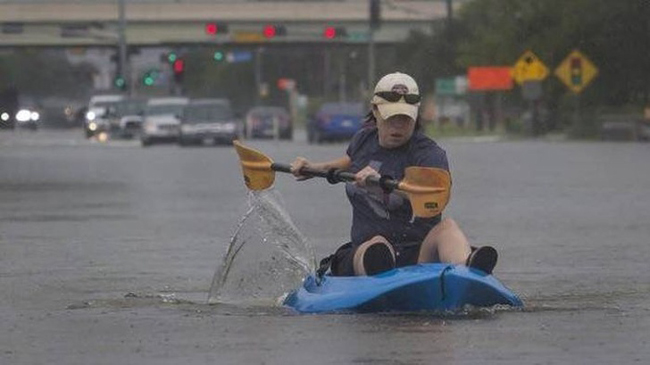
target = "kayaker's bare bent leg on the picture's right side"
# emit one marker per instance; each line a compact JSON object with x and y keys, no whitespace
{"x":448,"y":241}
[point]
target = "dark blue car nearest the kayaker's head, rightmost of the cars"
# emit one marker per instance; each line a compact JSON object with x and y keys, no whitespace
{"x":335,"y":122}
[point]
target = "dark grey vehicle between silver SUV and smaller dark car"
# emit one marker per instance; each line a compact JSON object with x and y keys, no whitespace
{"x":208,"y":121}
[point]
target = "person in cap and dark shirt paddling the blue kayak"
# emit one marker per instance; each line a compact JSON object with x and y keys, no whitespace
{"x":385,"y":234}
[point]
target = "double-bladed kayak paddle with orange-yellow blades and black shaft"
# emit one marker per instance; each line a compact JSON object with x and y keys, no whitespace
{"x":427,"y":188}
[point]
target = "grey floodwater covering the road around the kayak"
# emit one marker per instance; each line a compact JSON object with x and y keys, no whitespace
{"x":107,"y":253}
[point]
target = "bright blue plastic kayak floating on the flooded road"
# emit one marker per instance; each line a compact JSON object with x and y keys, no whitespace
{"x":423,"y":287}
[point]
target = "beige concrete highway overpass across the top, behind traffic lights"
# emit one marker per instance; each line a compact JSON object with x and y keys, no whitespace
{"x":173,"y":22}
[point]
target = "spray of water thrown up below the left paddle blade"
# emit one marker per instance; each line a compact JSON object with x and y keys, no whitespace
{"x":267,"y":256}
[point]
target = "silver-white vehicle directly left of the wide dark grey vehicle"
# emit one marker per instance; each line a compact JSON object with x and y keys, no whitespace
{"x":161,"y":122}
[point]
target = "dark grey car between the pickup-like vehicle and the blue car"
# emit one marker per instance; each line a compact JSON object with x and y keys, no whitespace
{"x":261,"y":123}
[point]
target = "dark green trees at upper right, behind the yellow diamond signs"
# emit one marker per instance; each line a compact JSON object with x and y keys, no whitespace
{"x":614,"y":35}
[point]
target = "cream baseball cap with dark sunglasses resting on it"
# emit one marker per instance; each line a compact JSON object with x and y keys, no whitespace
{"x":400,"y":84}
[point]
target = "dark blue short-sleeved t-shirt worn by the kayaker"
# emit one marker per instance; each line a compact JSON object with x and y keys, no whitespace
{"x":391,"y":215}
